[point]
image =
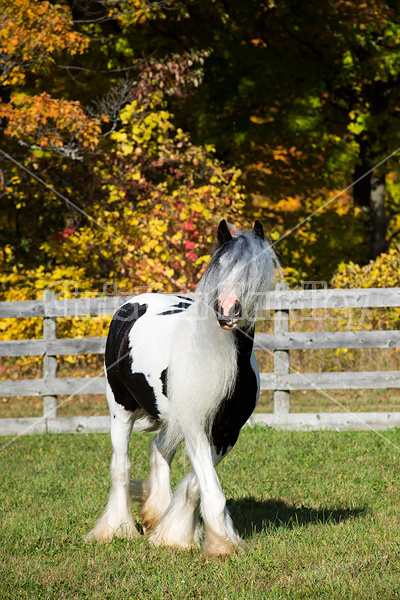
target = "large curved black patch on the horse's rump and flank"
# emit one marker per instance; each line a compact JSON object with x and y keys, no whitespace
{"x":131,"y":390}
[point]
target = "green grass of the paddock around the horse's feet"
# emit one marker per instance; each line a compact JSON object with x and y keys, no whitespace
{"x":319,"y":512}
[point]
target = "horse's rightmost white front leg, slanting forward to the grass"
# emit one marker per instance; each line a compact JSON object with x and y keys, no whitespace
{"x":221,"y":537}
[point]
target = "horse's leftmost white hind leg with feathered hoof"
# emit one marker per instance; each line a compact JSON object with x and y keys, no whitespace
{"x":117,"y":518}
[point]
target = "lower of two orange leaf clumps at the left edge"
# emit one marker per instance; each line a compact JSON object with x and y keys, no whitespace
{"x":50,"y":123}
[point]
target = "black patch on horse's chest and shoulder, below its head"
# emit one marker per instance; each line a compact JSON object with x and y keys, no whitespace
{"x":234,"y":411}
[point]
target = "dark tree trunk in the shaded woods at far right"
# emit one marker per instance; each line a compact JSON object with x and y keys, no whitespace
{"x":370,"y":193}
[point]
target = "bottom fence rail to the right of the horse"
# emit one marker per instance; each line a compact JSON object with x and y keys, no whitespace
{"x":332,"y":421}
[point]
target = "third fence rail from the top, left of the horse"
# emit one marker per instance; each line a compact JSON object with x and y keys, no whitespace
{"x":61,"y":385}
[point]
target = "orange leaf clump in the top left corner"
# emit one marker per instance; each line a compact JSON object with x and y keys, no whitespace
{"x":30,"y":32}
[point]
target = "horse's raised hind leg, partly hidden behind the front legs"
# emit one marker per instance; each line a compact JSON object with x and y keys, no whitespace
{"x":155,"y":492}
